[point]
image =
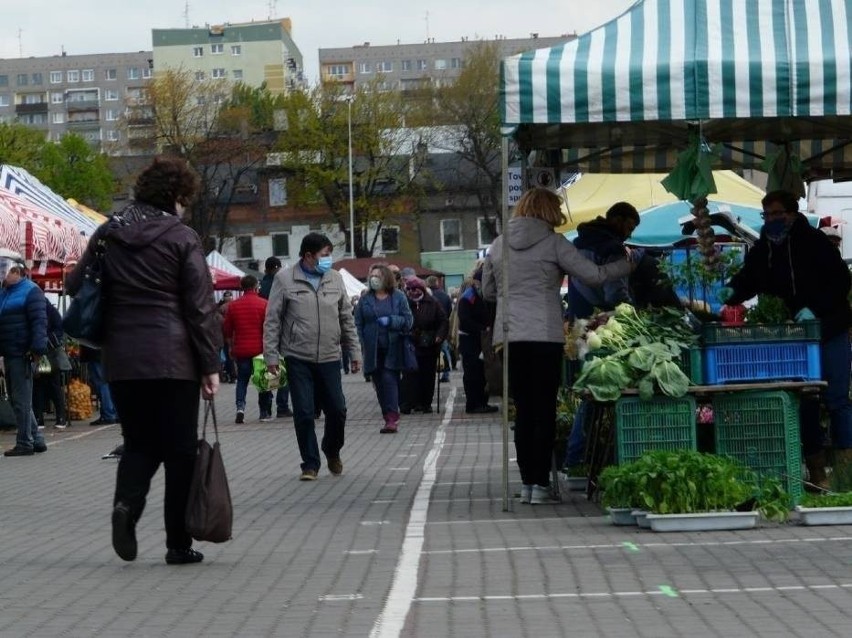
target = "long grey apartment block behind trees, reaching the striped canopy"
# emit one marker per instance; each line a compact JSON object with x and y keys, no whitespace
{"x":407,"y":67}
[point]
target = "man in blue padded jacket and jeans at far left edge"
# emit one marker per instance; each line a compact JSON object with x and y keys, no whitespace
{"x":23,"y":339}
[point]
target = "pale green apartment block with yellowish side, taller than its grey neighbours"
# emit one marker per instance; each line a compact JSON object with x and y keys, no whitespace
{"x":252,"y":53}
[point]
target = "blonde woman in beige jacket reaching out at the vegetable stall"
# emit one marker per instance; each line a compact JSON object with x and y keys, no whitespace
{"x":539,"y":259}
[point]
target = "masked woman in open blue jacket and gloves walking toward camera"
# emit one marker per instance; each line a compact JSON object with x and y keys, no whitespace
{"x":382,"y":317}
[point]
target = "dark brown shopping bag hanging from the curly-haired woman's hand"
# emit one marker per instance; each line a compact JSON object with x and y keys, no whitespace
{"x":209,"y":512}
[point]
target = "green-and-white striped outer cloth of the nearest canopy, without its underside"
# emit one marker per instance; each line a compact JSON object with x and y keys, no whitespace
{"x":690,"y":60}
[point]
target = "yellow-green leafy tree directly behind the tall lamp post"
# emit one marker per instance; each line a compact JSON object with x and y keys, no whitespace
{"x":314,"y":151}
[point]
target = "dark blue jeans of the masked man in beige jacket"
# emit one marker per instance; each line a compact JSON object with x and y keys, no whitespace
{"x":305,"y":378}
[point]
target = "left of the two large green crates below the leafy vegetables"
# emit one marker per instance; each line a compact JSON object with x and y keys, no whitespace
{"x":663,"y":423}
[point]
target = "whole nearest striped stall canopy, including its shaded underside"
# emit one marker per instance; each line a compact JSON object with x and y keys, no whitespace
{"x":768,"y":80}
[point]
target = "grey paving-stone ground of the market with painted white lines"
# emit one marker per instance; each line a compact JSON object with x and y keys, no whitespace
{"x":411,"y":540}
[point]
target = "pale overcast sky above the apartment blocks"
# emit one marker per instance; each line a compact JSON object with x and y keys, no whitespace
{"x":44,"y":27}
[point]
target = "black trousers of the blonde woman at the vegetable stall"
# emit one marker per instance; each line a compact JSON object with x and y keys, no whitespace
{"x":534,"y":377}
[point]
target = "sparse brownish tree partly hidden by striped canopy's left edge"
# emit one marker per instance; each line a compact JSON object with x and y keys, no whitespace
{"x":471,"y":109}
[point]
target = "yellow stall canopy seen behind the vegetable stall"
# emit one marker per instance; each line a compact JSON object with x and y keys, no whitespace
{"x":593,"y":193}
